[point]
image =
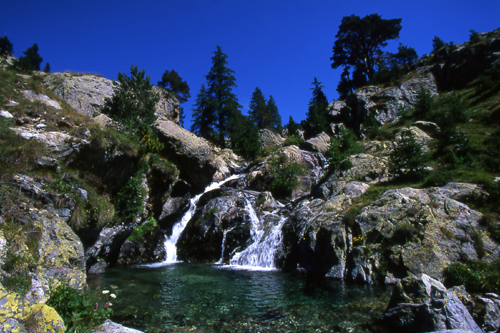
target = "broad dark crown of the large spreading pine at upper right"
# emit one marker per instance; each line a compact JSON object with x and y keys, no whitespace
{"x":359,"y":41}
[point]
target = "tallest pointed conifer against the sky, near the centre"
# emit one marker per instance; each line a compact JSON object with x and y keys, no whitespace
{"x":222,"y":101}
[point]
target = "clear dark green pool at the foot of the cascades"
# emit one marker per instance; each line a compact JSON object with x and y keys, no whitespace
{"x":213,"y":298}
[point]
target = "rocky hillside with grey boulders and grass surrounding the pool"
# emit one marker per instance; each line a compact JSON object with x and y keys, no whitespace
{"x":79,"y":197}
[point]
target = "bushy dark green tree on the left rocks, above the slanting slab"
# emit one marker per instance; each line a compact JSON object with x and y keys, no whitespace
{"x":133,"y":100}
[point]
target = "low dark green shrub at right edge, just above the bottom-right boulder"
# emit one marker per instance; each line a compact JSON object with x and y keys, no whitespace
{"x":475,"y":275}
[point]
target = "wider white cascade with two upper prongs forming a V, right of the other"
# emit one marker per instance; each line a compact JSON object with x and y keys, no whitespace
{"x":261,"y":252}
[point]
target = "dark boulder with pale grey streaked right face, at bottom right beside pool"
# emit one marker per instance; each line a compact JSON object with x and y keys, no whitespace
{"x":422,"y":304}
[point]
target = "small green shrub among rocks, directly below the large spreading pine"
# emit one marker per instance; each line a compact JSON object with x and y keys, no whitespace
{"x":342,"y":148}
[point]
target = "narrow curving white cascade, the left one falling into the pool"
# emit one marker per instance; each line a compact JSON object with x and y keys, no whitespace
{"x":170,"y":248}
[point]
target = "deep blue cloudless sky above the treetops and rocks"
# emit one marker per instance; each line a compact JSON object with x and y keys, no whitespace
{"x":277,"y":45}
